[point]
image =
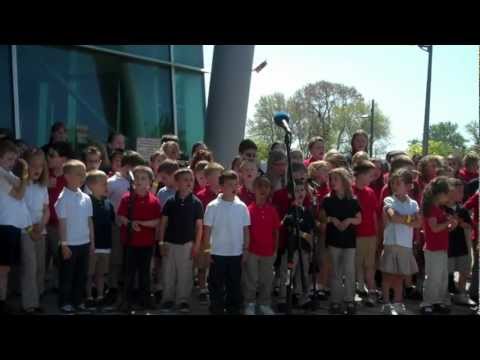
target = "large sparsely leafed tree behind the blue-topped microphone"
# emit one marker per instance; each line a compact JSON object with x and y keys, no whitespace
{"x":325,"y":109}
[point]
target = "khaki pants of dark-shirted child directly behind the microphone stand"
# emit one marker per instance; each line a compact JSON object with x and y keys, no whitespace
{"x":297,"y":277}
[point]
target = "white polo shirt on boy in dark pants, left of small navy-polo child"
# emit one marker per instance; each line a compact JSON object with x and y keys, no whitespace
{"x":76,"y":209}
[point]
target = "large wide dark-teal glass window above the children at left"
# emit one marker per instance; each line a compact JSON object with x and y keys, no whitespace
{"x":92,"y":93}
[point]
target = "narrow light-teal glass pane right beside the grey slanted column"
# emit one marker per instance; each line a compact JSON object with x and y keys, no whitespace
{"x":190,"y":99}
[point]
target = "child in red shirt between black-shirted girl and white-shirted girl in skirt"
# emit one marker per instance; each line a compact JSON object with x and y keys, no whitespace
{"x":367,"y":230}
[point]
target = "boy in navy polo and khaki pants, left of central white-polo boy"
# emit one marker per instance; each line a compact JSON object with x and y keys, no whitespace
{"x":180,"y":237}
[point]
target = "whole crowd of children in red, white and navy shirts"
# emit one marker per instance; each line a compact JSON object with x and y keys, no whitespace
{"x":118,"y":231}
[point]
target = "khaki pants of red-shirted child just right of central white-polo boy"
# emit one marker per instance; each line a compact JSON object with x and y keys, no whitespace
{"x":258,"y":271}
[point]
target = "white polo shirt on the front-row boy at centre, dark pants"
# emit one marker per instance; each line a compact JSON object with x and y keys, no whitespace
{"x":227,"y":220}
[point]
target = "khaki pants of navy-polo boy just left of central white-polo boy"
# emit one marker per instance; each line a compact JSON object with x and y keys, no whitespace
{"x":177,"y":273}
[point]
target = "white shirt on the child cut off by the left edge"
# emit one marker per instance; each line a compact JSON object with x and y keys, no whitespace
{"x":13,"y":212}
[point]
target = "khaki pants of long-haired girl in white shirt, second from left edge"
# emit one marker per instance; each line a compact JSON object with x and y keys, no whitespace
{"x":32,"y":273}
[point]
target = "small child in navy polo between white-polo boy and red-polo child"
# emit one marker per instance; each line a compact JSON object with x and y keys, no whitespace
{"x":103,"y":221}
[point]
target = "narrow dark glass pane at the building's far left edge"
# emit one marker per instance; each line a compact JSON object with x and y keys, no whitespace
{"x":6,"y":99}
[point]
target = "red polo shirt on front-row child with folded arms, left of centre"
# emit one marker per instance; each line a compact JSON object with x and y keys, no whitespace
{"x":145,"y":208}
